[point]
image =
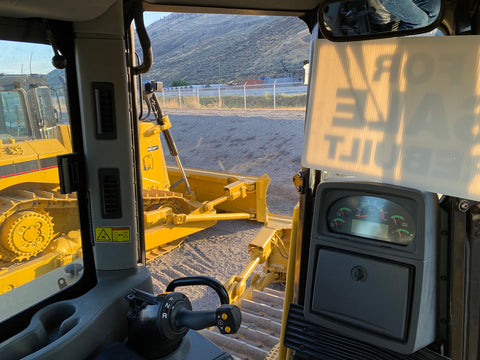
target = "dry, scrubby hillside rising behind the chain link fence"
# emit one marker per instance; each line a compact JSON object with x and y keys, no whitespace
{"x":211,"y":49}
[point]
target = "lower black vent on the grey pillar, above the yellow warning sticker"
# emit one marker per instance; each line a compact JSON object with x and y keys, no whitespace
{"x":110,"y":189}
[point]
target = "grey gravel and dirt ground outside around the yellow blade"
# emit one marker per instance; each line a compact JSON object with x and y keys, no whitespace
{"x":242,"y":142}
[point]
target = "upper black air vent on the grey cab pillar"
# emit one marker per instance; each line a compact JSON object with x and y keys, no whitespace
{"x":104,"y":110}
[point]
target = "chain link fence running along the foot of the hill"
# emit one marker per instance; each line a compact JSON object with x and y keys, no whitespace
{"x":276,"y":96}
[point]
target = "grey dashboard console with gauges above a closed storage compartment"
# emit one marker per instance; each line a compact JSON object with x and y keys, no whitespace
{"x":372,"y":264}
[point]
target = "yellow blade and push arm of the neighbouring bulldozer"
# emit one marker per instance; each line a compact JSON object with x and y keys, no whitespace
{"x":170,"y":216}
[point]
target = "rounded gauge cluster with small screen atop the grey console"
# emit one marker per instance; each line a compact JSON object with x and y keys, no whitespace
{"x":372,"y":217}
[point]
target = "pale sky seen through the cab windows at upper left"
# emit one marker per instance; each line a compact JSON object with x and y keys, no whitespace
{"x":26,"y":58}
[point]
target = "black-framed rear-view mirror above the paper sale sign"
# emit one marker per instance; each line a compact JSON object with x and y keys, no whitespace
{"x":364,"y":19}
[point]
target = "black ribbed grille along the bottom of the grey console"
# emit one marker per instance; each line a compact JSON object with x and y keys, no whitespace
{"x":315,"y":342}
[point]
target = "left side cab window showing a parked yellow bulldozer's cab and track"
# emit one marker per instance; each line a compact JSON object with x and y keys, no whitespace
{"x":40,"y":242}
